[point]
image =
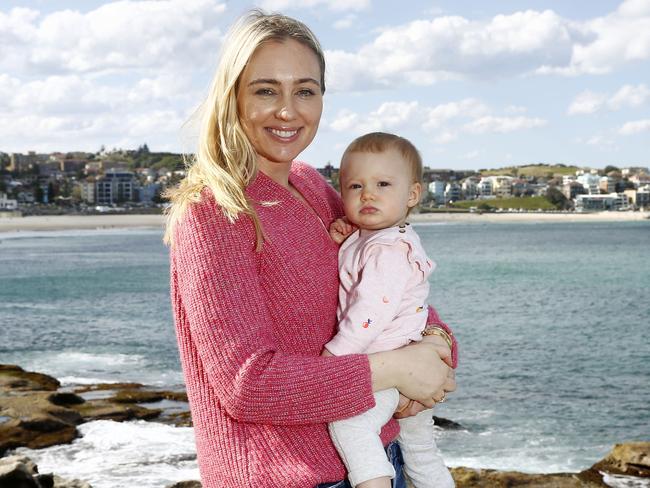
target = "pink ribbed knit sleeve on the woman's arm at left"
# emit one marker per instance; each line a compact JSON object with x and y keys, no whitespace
{"x":218,"y":280}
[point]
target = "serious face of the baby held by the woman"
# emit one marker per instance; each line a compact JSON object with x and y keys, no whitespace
{"x":377,"y":189}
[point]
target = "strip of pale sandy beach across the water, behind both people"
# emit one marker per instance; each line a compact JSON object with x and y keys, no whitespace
{"x":114,"y":221}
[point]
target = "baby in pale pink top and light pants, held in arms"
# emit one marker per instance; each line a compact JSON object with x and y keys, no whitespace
{"x":382,"y":303}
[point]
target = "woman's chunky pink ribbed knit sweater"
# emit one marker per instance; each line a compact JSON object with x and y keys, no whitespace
{"x":250,"y":328}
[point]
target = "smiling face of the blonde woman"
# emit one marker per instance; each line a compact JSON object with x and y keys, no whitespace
{"x":280,"y":101}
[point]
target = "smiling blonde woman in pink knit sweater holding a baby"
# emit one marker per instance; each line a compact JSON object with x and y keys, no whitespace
{"x":254,"y":276}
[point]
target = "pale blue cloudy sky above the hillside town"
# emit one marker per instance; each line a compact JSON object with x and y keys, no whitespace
{"x":473,"y":84}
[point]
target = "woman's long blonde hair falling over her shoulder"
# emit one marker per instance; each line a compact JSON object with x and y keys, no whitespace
{"x":226,"y":161}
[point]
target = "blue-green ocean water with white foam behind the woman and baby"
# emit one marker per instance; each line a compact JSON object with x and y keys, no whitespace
{"x":552,"y":321}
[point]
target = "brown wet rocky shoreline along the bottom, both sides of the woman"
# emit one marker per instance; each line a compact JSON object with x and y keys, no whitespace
{"x":35,"y":412}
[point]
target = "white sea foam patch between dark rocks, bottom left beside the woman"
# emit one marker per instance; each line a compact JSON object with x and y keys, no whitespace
{"x":119,"y":454}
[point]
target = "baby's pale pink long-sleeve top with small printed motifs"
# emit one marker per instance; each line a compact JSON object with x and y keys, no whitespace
{"x":383,"y":291}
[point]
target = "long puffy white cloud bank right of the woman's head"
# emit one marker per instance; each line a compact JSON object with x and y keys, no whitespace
{"x":423,"y":52}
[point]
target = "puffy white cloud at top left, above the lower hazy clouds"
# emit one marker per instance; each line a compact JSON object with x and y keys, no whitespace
{"x":116,"y":36}
